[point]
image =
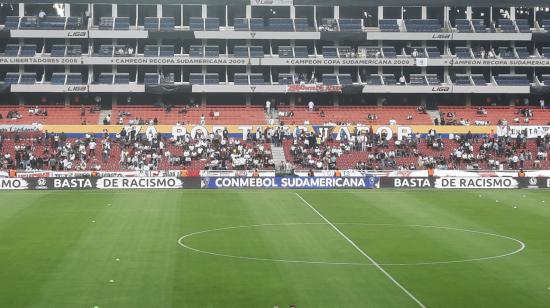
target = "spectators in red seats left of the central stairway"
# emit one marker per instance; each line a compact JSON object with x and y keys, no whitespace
{"x":136,"y":151}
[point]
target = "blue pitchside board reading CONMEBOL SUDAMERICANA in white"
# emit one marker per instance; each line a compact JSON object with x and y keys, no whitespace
{"x":290,"y":182}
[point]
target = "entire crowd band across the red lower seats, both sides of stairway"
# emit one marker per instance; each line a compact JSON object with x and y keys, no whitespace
{"x":131,"y":150}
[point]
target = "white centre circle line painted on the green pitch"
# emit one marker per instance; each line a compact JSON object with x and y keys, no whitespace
{"x":181,"y":243}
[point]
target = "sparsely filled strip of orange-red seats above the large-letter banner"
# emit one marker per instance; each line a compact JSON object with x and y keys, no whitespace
{"x":256,"y":115}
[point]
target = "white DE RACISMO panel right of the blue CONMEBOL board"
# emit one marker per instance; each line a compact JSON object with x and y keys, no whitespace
{"x":476,"y":182}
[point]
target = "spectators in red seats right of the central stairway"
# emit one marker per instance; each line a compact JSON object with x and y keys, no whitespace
{"x":459,"y":151}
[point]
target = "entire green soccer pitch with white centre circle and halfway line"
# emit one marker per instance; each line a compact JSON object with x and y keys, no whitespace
{"x":261,"y":248}
